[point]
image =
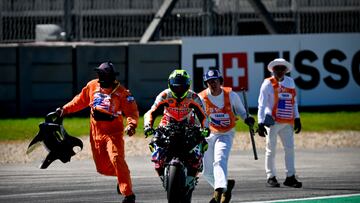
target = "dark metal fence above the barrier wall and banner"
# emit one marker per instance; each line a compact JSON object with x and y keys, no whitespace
{"x":127,"y":20}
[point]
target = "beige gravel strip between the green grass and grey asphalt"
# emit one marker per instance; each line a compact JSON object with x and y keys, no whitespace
{"x":15,"y":151}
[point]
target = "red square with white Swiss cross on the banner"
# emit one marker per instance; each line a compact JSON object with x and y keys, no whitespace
{"x":235,"y":70}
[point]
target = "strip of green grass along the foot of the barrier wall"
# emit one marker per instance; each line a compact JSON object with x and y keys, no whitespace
{"x":21,"y":129}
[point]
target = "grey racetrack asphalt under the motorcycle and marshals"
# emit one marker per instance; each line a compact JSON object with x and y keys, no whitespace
{"x":324,"y":172}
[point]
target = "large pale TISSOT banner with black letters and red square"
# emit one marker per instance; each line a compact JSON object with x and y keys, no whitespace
{"x":326,"y":66}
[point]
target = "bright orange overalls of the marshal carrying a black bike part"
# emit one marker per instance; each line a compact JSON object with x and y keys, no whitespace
{"x":106,"y":130}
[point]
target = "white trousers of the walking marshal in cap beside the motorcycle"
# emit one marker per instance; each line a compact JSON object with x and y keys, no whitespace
{"x":216,"y":159}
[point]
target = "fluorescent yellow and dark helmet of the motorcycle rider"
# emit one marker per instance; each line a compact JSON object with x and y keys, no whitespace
{"x":179,"y":83}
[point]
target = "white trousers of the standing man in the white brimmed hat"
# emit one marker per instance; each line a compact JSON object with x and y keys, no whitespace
{"x":286,"y":134}
